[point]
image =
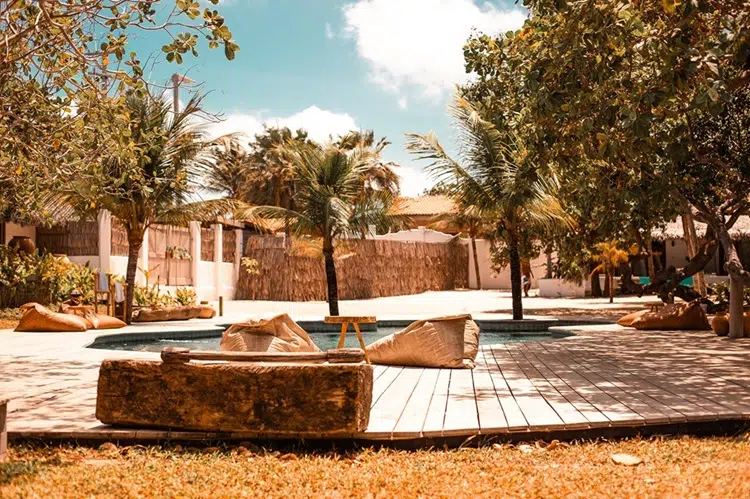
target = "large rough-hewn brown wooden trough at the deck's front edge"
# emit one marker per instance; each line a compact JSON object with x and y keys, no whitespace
{"x":274,"y":394}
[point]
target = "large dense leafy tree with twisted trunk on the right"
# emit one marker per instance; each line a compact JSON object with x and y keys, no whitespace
{"x":621,"y":84}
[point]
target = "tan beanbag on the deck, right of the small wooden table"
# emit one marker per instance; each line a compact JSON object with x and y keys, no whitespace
{"x":451,"y":341}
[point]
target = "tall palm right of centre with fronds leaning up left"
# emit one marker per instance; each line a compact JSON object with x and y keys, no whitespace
{"x":494,"y":174}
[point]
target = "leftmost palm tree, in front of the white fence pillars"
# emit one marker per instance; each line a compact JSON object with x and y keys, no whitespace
{"x":156,"y":184}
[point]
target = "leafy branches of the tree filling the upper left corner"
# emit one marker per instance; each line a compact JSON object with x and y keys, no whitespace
{"x":59,"y":63}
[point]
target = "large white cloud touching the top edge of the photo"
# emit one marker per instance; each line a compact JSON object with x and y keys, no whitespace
{"x":420,"y":42}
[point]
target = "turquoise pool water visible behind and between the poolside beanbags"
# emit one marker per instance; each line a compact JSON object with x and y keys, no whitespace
{"x":324,"y":341}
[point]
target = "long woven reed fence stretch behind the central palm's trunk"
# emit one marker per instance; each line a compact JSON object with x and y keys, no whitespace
{"x":368,"y":269}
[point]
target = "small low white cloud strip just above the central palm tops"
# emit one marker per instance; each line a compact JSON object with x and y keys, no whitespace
{"x":319,"y":123}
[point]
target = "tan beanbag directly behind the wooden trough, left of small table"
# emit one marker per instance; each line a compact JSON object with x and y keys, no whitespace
{"x":280,"y":334}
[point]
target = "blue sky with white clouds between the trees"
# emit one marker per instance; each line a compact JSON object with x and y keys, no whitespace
{"x":330,"y":66}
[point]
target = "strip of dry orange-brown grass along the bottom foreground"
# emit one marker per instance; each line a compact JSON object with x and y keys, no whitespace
{"x":680,"y":467}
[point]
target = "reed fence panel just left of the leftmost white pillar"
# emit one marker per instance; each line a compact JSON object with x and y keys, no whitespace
{"x":72,"y":239}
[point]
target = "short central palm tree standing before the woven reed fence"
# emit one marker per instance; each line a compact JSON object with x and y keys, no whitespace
{"x":328,"y":202}
